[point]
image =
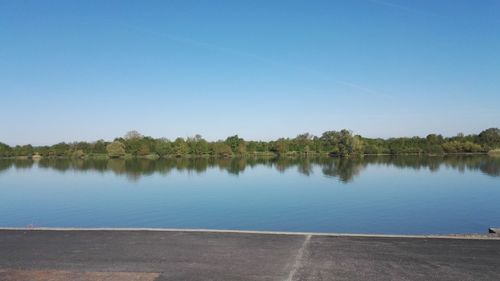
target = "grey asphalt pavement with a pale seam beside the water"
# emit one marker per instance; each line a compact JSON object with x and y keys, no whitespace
{"x":42,"y":255}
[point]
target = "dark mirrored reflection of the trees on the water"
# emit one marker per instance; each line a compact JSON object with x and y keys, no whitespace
{"x":345,"y":170}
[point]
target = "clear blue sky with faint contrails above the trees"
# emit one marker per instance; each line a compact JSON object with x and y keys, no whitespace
{"x":88,"y":70}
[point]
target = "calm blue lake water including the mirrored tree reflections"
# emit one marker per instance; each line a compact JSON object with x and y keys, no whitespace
{"x":412,"y":195}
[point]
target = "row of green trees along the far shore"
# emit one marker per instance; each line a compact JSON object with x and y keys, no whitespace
{"x":334,"y":143}
